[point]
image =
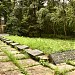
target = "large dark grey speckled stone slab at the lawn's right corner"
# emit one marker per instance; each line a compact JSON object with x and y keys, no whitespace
{"x":61,"y":57}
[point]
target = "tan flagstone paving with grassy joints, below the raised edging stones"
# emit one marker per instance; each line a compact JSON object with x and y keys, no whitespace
{"x":32,"y":67}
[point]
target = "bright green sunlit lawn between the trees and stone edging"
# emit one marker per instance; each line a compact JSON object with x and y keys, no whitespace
{"x":46,"y":45}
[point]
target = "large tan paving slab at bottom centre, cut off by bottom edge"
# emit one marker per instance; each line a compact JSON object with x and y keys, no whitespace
{"x":39,"y":70}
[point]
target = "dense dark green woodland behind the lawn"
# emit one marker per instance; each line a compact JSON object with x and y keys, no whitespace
{"x":39,"y":17}
